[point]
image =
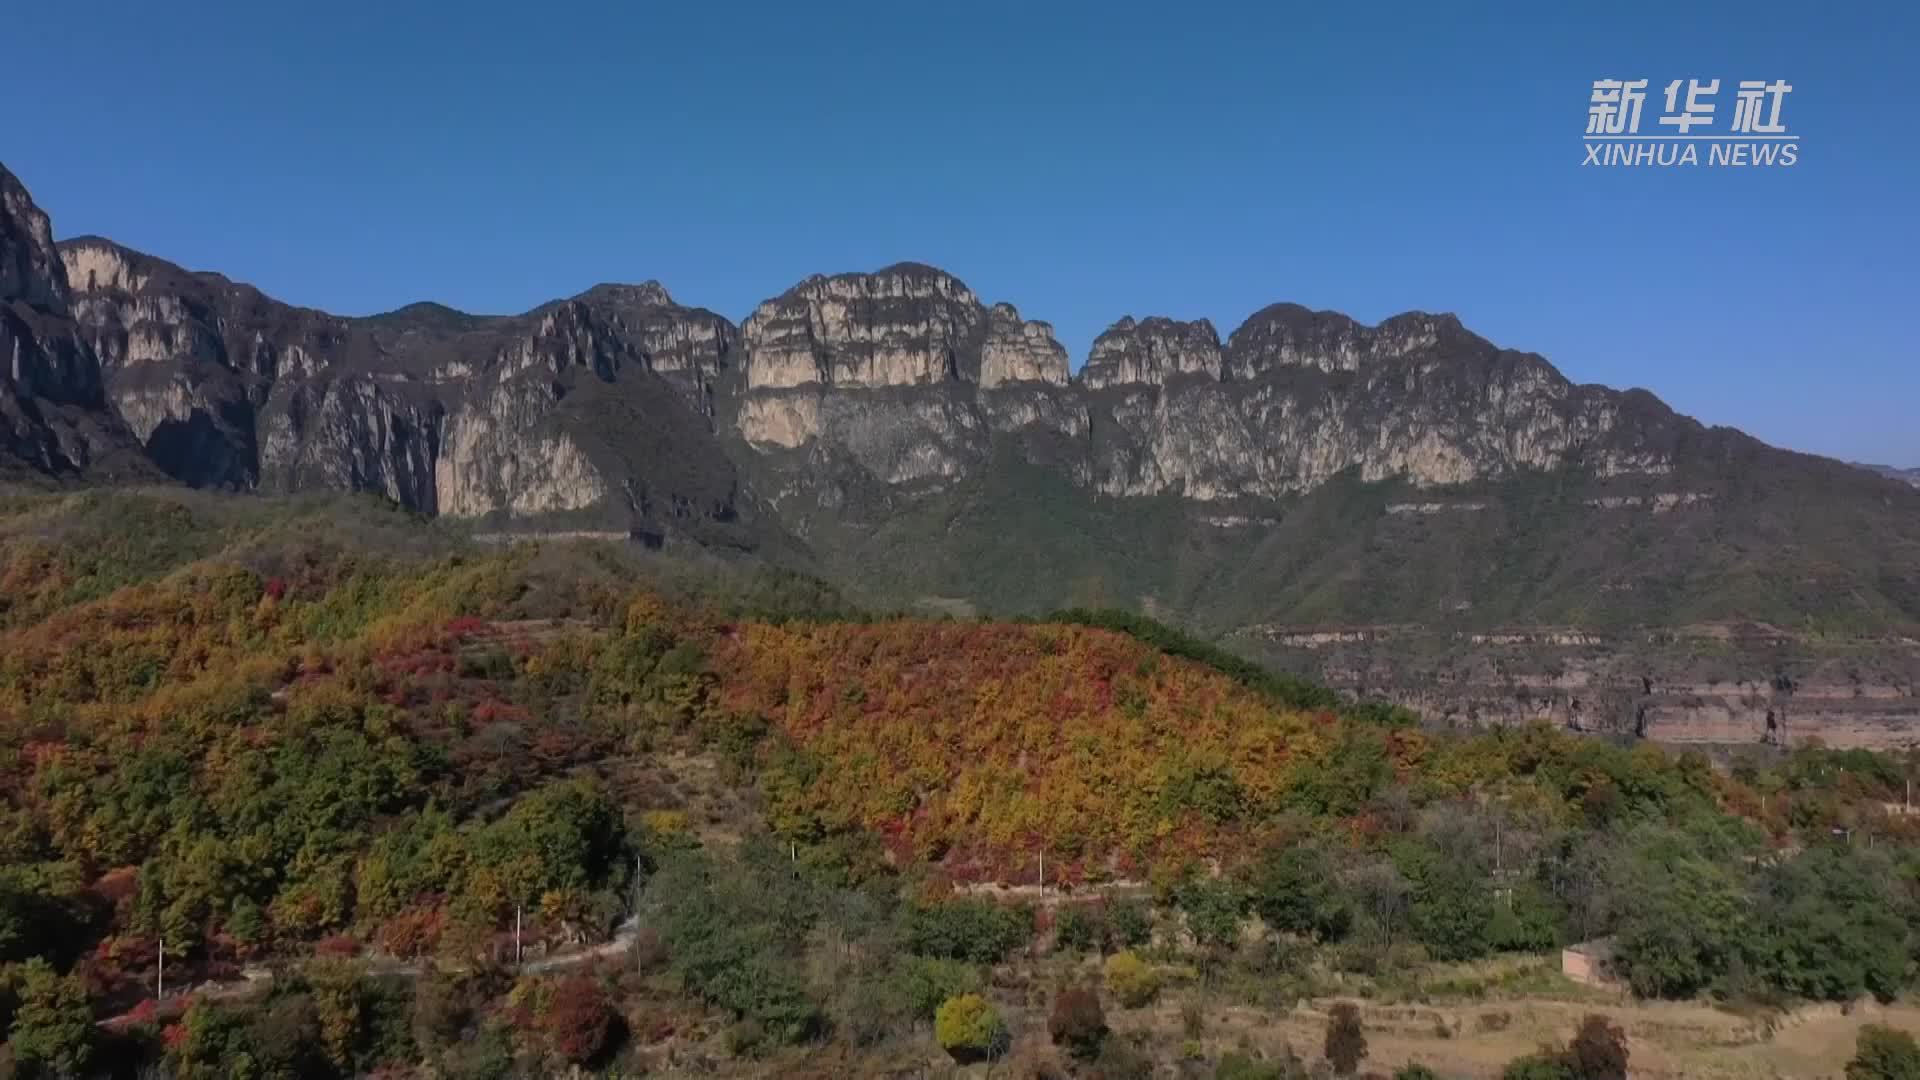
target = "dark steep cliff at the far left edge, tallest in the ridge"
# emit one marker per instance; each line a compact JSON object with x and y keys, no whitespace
{"x":53,"y":412}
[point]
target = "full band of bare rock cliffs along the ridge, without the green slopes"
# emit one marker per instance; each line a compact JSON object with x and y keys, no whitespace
{"x":900,"y":380}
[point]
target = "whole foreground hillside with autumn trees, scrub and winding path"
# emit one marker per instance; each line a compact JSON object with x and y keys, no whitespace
{"x":395,"y":800}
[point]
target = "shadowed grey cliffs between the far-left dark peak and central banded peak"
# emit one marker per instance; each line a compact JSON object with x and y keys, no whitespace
{"x":433,"y":408}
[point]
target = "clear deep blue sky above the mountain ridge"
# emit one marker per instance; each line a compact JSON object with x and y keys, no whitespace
{"x":1082,"y":162}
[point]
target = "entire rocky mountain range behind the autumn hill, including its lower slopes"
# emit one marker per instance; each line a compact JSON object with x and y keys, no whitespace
{"x":1404,"y":510}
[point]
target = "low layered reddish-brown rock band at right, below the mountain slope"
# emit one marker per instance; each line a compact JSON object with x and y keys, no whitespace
{"x":1723,"y":687}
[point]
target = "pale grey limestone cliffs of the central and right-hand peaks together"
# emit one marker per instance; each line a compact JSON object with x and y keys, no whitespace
{"x":1163,"y":406}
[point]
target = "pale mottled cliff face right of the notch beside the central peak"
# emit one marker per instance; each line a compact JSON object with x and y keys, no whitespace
{"x":1431,"y":412}
